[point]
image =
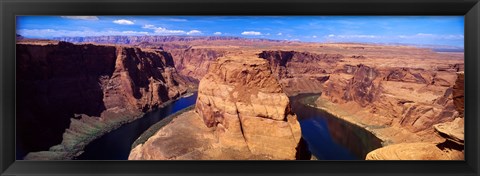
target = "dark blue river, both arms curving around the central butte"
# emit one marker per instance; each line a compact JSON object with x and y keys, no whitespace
{"x":328,"y":138}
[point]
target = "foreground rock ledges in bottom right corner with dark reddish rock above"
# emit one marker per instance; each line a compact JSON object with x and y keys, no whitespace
{"x":452,"y":148}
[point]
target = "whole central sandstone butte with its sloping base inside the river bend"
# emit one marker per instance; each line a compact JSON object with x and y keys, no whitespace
{"x":241,"y":113}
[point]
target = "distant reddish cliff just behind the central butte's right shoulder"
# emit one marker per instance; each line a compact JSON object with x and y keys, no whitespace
{"x":301,"y":72}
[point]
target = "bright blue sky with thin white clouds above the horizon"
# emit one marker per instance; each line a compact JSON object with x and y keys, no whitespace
{"x":418,"y":30}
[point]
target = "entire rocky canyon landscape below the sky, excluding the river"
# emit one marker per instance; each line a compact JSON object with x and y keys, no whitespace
{"x":410,"y":98}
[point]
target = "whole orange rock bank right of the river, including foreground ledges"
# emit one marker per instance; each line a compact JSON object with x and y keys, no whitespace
{"x":404,"y":104}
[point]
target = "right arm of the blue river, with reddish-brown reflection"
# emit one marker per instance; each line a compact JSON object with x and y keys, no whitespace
{"x":328,"y":137}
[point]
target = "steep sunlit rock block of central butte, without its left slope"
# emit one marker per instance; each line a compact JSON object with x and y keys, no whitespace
{"x":243,"y":101}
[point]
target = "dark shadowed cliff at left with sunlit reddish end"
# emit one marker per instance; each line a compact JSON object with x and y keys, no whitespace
{"x":57,"y":84}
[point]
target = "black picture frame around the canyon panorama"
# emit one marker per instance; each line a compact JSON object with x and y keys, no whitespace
{"x":9,"y":9}
